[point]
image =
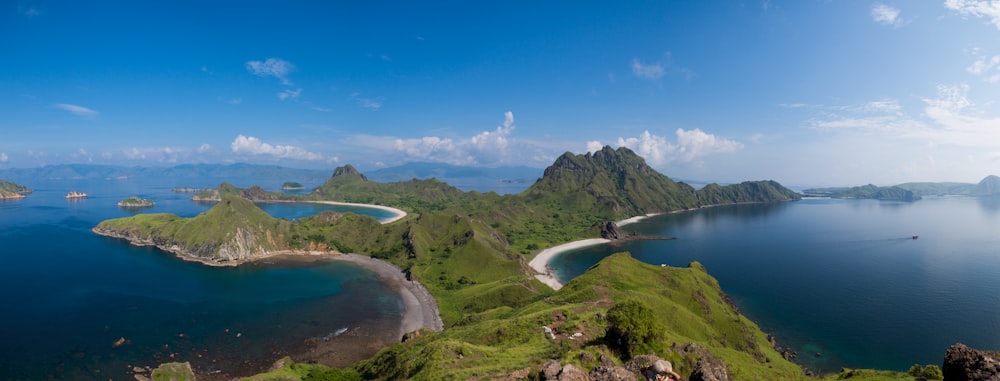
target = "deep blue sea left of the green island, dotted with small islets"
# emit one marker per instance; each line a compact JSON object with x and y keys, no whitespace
{"x":69,"y":294}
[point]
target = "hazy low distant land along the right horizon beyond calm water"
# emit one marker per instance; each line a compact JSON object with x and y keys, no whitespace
{"x":987,"y":187}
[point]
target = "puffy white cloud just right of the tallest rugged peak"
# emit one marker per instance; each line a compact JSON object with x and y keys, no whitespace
{"x":691,"y":145}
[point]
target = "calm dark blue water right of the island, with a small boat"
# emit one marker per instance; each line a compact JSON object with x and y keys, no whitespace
{"x":843,"y":277}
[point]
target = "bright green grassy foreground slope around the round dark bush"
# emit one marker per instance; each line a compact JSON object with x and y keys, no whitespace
{"x":687,"y":303}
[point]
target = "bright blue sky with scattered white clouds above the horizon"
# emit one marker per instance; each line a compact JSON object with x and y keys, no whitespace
{"x":803,"y":92}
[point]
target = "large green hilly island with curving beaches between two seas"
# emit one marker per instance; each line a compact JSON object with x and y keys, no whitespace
{"x":470,"y":252}
